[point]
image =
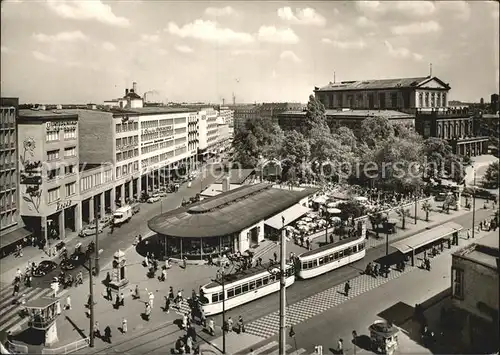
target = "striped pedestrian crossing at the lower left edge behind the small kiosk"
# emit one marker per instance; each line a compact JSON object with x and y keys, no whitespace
{"x":10,"y":318}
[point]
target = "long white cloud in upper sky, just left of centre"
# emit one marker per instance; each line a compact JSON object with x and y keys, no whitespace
{"x":209,"y":31}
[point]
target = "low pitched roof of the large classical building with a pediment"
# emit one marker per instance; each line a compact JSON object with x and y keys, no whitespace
{"x":377,"y":84}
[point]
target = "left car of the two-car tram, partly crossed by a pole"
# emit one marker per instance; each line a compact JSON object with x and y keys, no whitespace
{"x":243,"y":287}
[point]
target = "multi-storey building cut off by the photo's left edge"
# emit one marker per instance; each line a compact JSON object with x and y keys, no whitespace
{"x":10,"y":223}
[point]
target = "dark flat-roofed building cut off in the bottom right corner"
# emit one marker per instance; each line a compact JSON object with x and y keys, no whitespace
{"x":474,"y":288}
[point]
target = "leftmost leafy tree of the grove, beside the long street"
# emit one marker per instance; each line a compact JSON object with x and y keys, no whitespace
{"x":257,"y":138}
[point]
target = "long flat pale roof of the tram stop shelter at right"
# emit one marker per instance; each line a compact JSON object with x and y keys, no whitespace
{"x":425,"y":238}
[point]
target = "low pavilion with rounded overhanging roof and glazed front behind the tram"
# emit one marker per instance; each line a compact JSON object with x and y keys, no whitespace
{"x":232,"y":221}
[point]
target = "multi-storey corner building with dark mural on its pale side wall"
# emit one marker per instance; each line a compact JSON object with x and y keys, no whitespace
{"x":48,"y":147}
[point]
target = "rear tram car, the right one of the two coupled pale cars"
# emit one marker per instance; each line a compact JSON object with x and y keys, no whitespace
{"x":330,"y":257}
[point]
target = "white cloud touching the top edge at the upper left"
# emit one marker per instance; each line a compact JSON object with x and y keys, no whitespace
{"x":87,"y":10}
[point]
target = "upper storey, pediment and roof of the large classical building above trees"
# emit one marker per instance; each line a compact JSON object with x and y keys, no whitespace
{"x":393,"y":94}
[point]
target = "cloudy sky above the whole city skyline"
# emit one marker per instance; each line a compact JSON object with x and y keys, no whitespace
{"x":82,"y":51}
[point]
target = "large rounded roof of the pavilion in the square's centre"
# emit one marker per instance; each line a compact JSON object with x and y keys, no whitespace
{"x":227,"y":213}
